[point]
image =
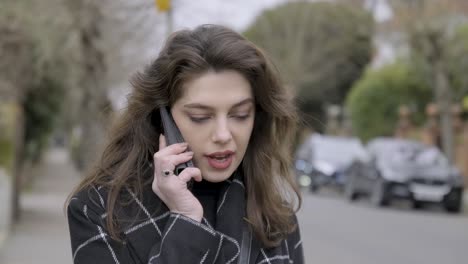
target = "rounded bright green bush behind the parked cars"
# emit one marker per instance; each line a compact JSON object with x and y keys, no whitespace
{"x":374,"y":100}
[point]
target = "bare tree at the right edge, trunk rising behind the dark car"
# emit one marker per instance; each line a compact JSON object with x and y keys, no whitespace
{"x":429,"y":26}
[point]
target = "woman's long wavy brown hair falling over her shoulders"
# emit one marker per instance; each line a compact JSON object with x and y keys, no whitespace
{"x":272,"y":195}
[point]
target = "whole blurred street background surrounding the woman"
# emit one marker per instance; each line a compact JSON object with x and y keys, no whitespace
{"x":382,"y":152}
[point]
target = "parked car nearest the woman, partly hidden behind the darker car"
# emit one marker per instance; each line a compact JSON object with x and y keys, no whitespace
{"x":324,"y":160}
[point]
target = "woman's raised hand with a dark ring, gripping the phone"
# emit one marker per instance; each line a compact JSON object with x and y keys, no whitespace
{"x":172,"y":189}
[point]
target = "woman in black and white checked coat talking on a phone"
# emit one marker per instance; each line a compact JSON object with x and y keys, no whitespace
{"x":237,"y":121}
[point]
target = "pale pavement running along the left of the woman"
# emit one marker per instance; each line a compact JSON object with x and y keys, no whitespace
{"x":42,"y":234}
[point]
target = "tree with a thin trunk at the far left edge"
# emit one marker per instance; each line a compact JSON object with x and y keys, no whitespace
{"x":33,"y":44}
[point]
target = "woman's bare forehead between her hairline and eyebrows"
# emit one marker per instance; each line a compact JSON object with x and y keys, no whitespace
{"x":222,"y":88}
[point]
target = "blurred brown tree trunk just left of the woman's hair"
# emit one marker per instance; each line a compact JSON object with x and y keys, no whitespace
{"x":94,"y":104}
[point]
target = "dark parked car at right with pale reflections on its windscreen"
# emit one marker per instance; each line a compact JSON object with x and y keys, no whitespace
{"x":405,"y":169}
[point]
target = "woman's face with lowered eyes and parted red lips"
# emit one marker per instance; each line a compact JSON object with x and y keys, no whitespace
{"x":215,"y":116}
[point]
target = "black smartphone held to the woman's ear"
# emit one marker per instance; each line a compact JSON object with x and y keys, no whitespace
{"x":173,"y":136}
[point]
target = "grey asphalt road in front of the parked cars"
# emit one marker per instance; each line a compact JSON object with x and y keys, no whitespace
{"x":336,"y":231}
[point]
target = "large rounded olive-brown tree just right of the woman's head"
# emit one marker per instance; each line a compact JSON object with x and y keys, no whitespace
{"x":320,"y":48}
